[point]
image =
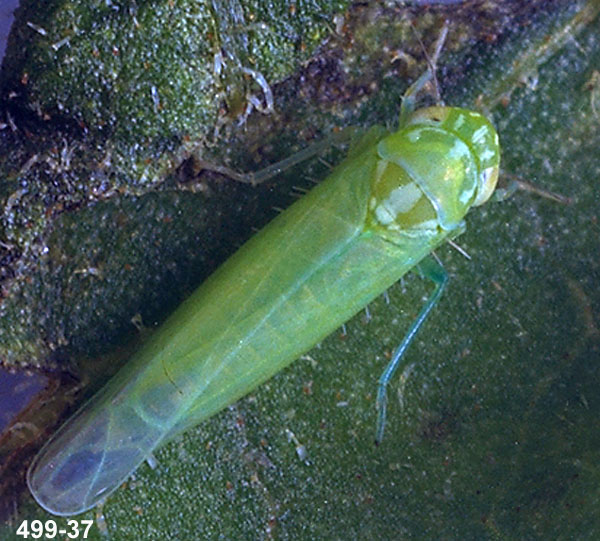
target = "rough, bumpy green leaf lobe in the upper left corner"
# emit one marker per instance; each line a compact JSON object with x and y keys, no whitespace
{"x":154,"y":71}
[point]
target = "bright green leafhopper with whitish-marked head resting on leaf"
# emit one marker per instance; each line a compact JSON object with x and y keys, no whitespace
{"x":395,"y":198}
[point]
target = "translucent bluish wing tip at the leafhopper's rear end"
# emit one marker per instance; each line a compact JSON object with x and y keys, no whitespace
{"x":90,"y":456}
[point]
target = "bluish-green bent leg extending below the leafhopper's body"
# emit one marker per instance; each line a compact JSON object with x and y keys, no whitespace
{"x":436,"y":273}
